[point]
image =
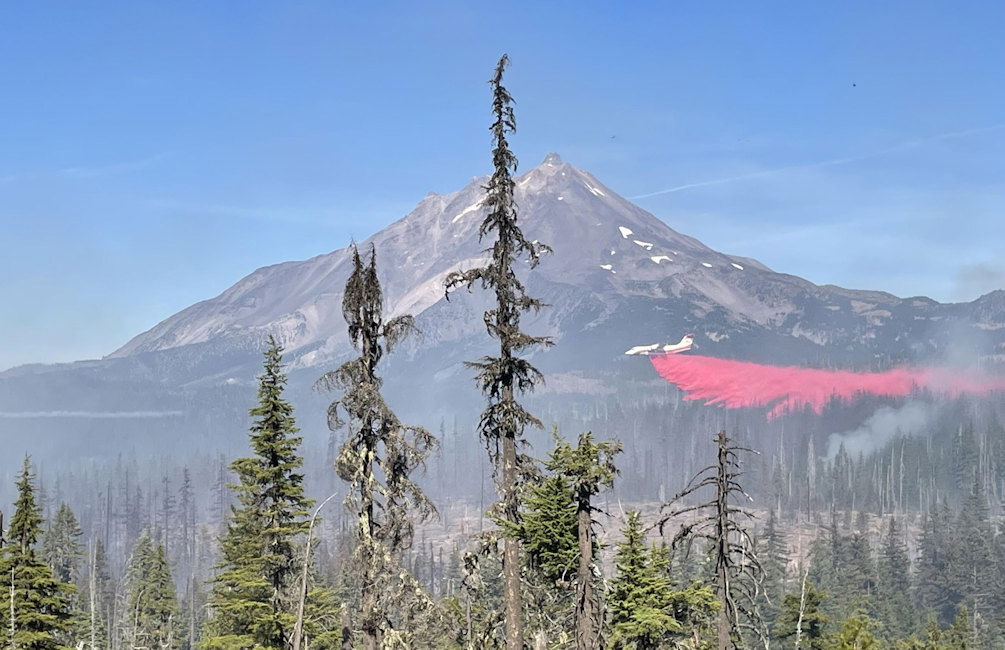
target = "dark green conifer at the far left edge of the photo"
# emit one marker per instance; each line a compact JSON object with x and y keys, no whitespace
{"x":38,"y":603}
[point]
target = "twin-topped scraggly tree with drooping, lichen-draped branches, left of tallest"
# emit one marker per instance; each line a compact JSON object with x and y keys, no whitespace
{"x":377,"y":460}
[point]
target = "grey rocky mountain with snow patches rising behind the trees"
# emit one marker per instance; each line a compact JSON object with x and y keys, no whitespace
{"x":619,"y":277}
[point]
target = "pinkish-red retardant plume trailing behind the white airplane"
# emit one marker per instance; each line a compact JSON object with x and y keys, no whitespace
{"x":736,"y":384}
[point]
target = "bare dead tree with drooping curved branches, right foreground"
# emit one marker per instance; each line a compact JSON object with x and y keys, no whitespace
{"x":721,"y":524}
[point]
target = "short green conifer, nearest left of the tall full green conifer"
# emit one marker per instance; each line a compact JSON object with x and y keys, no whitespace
{"x":151,"y":607}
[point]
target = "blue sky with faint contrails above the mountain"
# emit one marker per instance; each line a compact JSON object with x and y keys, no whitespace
{"x":153,"y":153}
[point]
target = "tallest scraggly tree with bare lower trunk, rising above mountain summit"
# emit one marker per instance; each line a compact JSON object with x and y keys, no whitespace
{"x":505,"y":377}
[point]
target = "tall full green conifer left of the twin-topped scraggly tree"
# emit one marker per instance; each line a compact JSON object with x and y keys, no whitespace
{"x":253,"y":595}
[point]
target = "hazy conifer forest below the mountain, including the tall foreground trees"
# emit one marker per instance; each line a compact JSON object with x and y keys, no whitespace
{"x":586,"y":528}
